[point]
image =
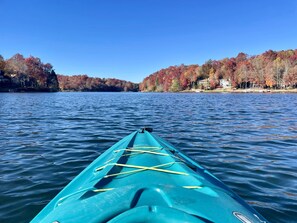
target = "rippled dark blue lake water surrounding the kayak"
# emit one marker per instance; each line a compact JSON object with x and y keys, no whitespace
{"x":249,"y":141}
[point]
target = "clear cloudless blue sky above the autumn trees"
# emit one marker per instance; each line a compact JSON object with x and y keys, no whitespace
{"x":130,"y":39}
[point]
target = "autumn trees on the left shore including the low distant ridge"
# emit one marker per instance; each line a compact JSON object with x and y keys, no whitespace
{"x":31,"y":74}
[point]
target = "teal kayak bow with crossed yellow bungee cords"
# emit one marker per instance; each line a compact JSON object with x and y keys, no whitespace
{"x":143,"y":178}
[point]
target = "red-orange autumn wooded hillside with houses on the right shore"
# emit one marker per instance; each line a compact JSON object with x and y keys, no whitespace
{"x":271,"y":69}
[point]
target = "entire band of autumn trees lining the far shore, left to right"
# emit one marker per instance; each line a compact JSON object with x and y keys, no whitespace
{"x":272,"y":69}
